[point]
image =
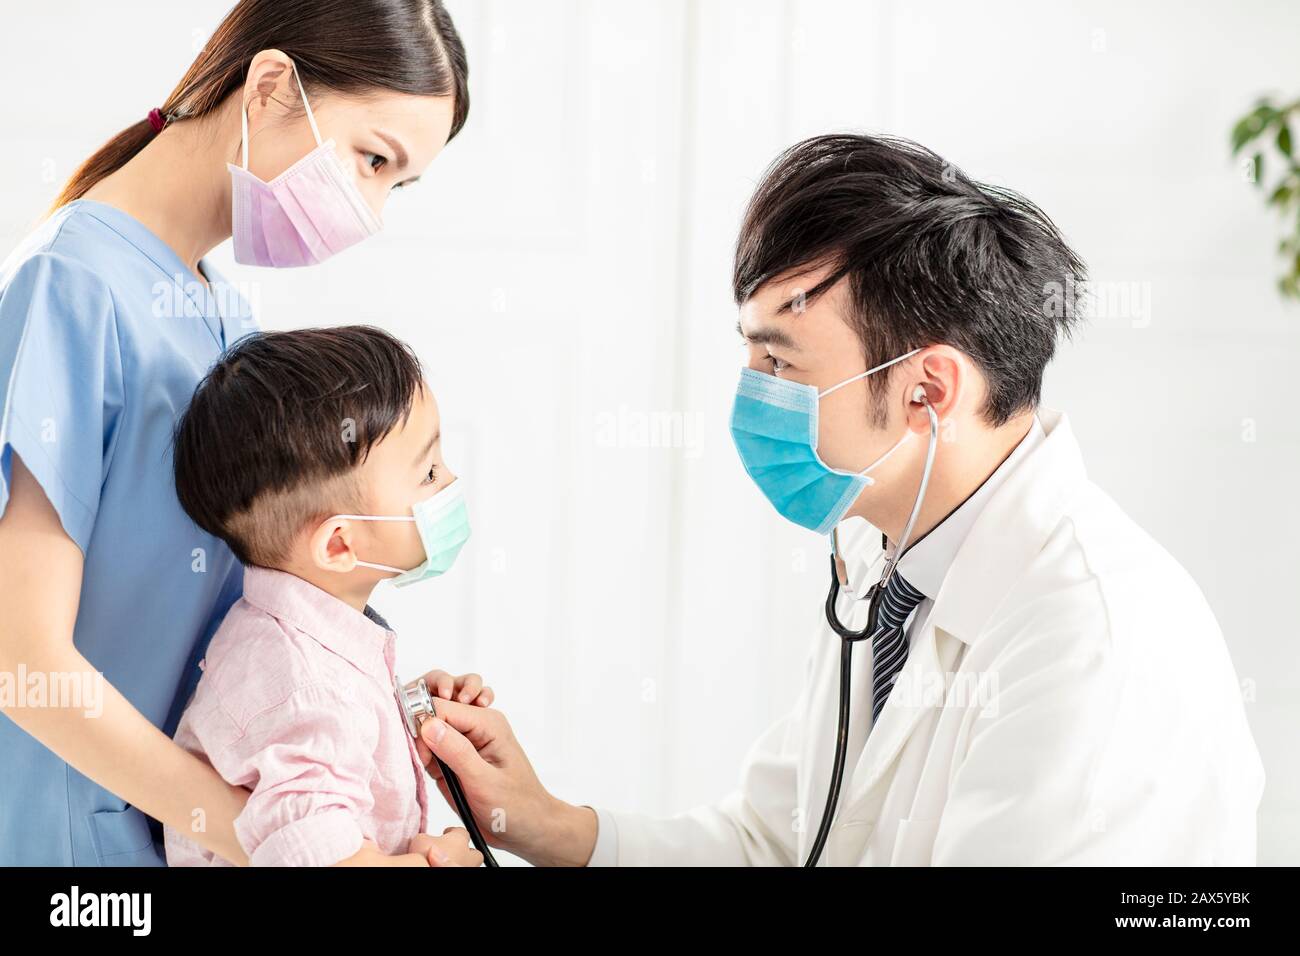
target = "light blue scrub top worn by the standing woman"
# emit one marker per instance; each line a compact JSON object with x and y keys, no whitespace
{"x":105,"y":335}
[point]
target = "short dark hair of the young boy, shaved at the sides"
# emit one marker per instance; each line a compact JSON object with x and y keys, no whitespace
{"x":278,"y":429}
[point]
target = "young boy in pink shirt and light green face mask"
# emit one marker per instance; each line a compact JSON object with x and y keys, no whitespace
{"x":315,"y":456}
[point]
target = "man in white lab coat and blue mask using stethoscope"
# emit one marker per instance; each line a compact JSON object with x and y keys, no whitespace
{"x":1042,"y":682}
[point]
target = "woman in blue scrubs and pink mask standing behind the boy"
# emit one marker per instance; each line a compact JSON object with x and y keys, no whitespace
{"x":110,"y":315}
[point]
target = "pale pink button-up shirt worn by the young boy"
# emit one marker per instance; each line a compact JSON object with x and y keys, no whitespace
{"x":296,"y":703}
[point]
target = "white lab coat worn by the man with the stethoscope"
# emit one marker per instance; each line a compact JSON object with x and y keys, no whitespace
{"x":1071,"y":700}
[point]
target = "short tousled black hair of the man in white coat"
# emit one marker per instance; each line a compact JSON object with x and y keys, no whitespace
{"x":931,"y":257}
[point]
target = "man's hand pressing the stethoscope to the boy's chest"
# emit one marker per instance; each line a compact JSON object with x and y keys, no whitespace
{"x":513,"y":808}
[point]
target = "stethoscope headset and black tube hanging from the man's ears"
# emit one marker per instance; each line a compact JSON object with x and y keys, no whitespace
{"x":850,"y":638}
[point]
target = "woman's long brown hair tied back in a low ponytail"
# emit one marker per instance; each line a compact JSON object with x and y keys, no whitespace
{"x":345,"y":46}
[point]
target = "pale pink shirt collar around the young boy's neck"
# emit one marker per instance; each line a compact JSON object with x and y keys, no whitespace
{"x":361,"y":638}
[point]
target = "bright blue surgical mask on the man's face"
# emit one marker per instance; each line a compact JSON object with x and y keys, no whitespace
{"x":775,"y":429}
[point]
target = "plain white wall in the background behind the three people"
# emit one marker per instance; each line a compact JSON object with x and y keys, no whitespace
{"x":564,"y":270}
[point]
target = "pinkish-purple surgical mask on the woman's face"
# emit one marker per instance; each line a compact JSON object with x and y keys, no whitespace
{"x":305,"y":215}
